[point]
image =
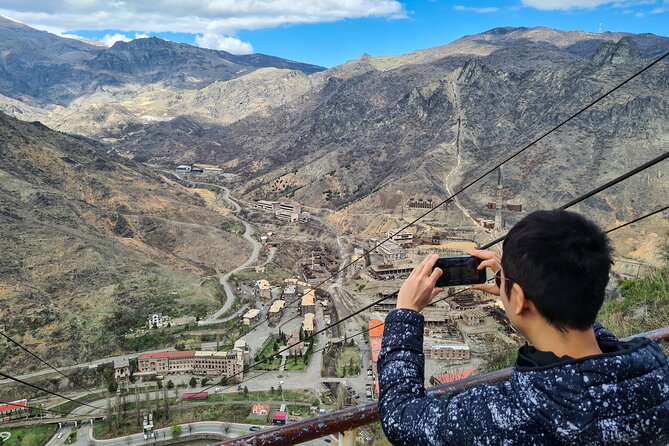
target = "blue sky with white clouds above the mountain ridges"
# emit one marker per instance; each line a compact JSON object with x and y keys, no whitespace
{"x":327,"y":32}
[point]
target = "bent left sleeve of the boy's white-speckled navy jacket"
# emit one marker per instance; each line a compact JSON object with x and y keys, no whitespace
{"x":483,"y":414}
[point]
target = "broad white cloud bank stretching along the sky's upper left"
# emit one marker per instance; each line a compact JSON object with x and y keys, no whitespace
{"x":223,"y":17}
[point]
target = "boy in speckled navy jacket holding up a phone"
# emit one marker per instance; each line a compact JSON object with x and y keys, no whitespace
{"x":575,"y":385}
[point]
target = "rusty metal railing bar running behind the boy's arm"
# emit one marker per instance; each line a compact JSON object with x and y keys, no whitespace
{"x":354,"y":417}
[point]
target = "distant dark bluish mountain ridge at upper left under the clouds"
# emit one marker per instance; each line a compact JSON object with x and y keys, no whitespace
{"x":39,"y":67}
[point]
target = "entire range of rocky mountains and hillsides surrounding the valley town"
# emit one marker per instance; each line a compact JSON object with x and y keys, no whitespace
{"x":91,"y":235}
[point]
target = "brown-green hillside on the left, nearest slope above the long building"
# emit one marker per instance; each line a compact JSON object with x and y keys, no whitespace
{"x":92,"y":243}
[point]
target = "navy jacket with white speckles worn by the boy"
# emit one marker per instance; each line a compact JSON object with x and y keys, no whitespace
{"x":618,"y":398}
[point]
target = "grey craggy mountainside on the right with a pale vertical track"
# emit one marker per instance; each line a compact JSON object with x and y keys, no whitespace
{"x":371,"y":138}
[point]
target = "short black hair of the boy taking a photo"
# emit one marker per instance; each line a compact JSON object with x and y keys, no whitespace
{"x":562,"y":262}
